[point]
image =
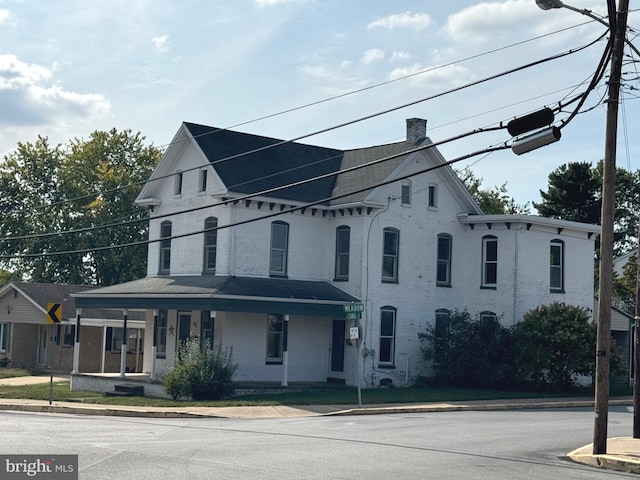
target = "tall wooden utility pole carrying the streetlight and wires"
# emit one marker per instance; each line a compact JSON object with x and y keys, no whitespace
{"x":603,"y":341}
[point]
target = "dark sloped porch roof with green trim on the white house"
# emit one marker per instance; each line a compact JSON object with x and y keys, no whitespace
{"x":221,"y":293}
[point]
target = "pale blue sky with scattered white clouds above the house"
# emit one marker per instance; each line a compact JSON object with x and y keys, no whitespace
{"x":70,"y":67}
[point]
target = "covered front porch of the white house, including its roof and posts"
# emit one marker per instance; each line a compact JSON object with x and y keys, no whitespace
{"x":278,"y":330}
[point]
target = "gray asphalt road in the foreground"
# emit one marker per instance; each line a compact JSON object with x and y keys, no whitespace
{"x":523,"y":444}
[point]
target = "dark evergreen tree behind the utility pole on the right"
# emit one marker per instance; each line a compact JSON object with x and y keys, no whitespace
{"x":575,"y":192}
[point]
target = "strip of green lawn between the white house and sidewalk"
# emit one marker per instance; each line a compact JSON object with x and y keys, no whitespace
{"x":332,"y":395}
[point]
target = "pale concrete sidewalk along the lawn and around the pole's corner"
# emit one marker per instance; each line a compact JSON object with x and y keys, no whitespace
{"x":623,"y":454}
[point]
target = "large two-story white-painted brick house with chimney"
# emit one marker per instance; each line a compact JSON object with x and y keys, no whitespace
{"x":235,"y":258}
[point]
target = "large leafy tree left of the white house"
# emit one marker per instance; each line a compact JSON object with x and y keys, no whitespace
{"x":47,"y":190}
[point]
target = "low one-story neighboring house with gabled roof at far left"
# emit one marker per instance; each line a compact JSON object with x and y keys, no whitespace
{"x":29,"y":340}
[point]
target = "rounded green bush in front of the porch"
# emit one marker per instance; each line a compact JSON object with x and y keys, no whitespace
{"x":201,"y":372}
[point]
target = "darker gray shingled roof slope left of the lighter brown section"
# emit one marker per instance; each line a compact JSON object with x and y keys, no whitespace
{"x":268,"y":168}
